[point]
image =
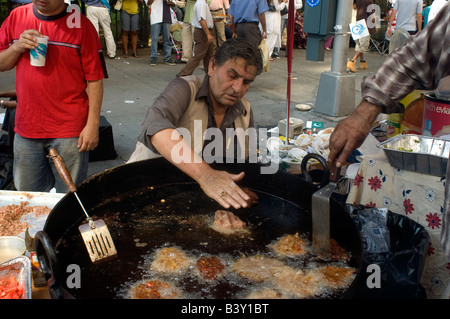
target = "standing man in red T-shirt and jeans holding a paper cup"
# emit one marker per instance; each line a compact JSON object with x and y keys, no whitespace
{"x":54,"y":110}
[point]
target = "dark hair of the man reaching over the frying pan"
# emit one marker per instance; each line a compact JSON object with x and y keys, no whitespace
{"x":239,"y":48}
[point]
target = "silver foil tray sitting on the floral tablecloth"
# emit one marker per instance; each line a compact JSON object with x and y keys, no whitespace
{"x":417,"y":153}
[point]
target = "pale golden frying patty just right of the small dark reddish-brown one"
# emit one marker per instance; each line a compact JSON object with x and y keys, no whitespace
{"x":257,"y":268}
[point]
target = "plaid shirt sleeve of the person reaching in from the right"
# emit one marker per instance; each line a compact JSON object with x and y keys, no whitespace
{"x":420,"y":64}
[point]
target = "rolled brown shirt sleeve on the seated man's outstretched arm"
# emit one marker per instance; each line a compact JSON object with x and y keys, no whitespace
{"x":166,"y":111}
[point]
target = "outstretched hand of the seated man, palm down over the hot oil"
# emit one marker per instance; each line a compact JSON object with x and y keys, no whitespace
{"x":221,"y":187}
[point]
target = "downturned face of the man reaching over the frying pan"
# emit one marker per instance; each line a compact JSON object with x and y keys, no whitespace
{"x":230,"y":81}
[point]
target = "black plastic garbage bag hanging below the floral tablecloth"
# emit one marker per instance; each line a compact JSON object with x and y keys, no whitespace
{"x":401,"y":265}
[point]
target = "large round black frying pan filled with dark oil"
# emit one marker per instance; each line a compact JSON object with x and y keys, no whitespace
{"x":151,"y":204}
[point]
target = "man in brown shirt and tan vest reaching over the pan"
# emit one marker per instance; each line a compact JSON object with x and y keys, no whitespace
{"x":217,"y":99}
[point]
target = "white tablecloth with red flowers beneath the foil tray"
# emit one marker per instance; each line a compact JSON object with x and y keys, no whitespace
{"x":418,"y":196}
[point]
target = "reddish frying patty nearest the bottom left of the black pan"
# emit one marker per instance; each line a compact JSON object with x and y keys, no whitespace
{"x":155,"y":289}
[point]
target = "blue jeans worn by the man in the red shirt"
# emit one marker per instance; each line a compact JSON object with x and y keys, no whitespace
{"x":33,"y":171}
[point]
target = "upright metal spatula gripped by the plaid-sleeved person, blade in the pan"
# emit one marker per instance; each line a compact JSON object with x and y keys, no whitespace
{"x":321,"y":216}
